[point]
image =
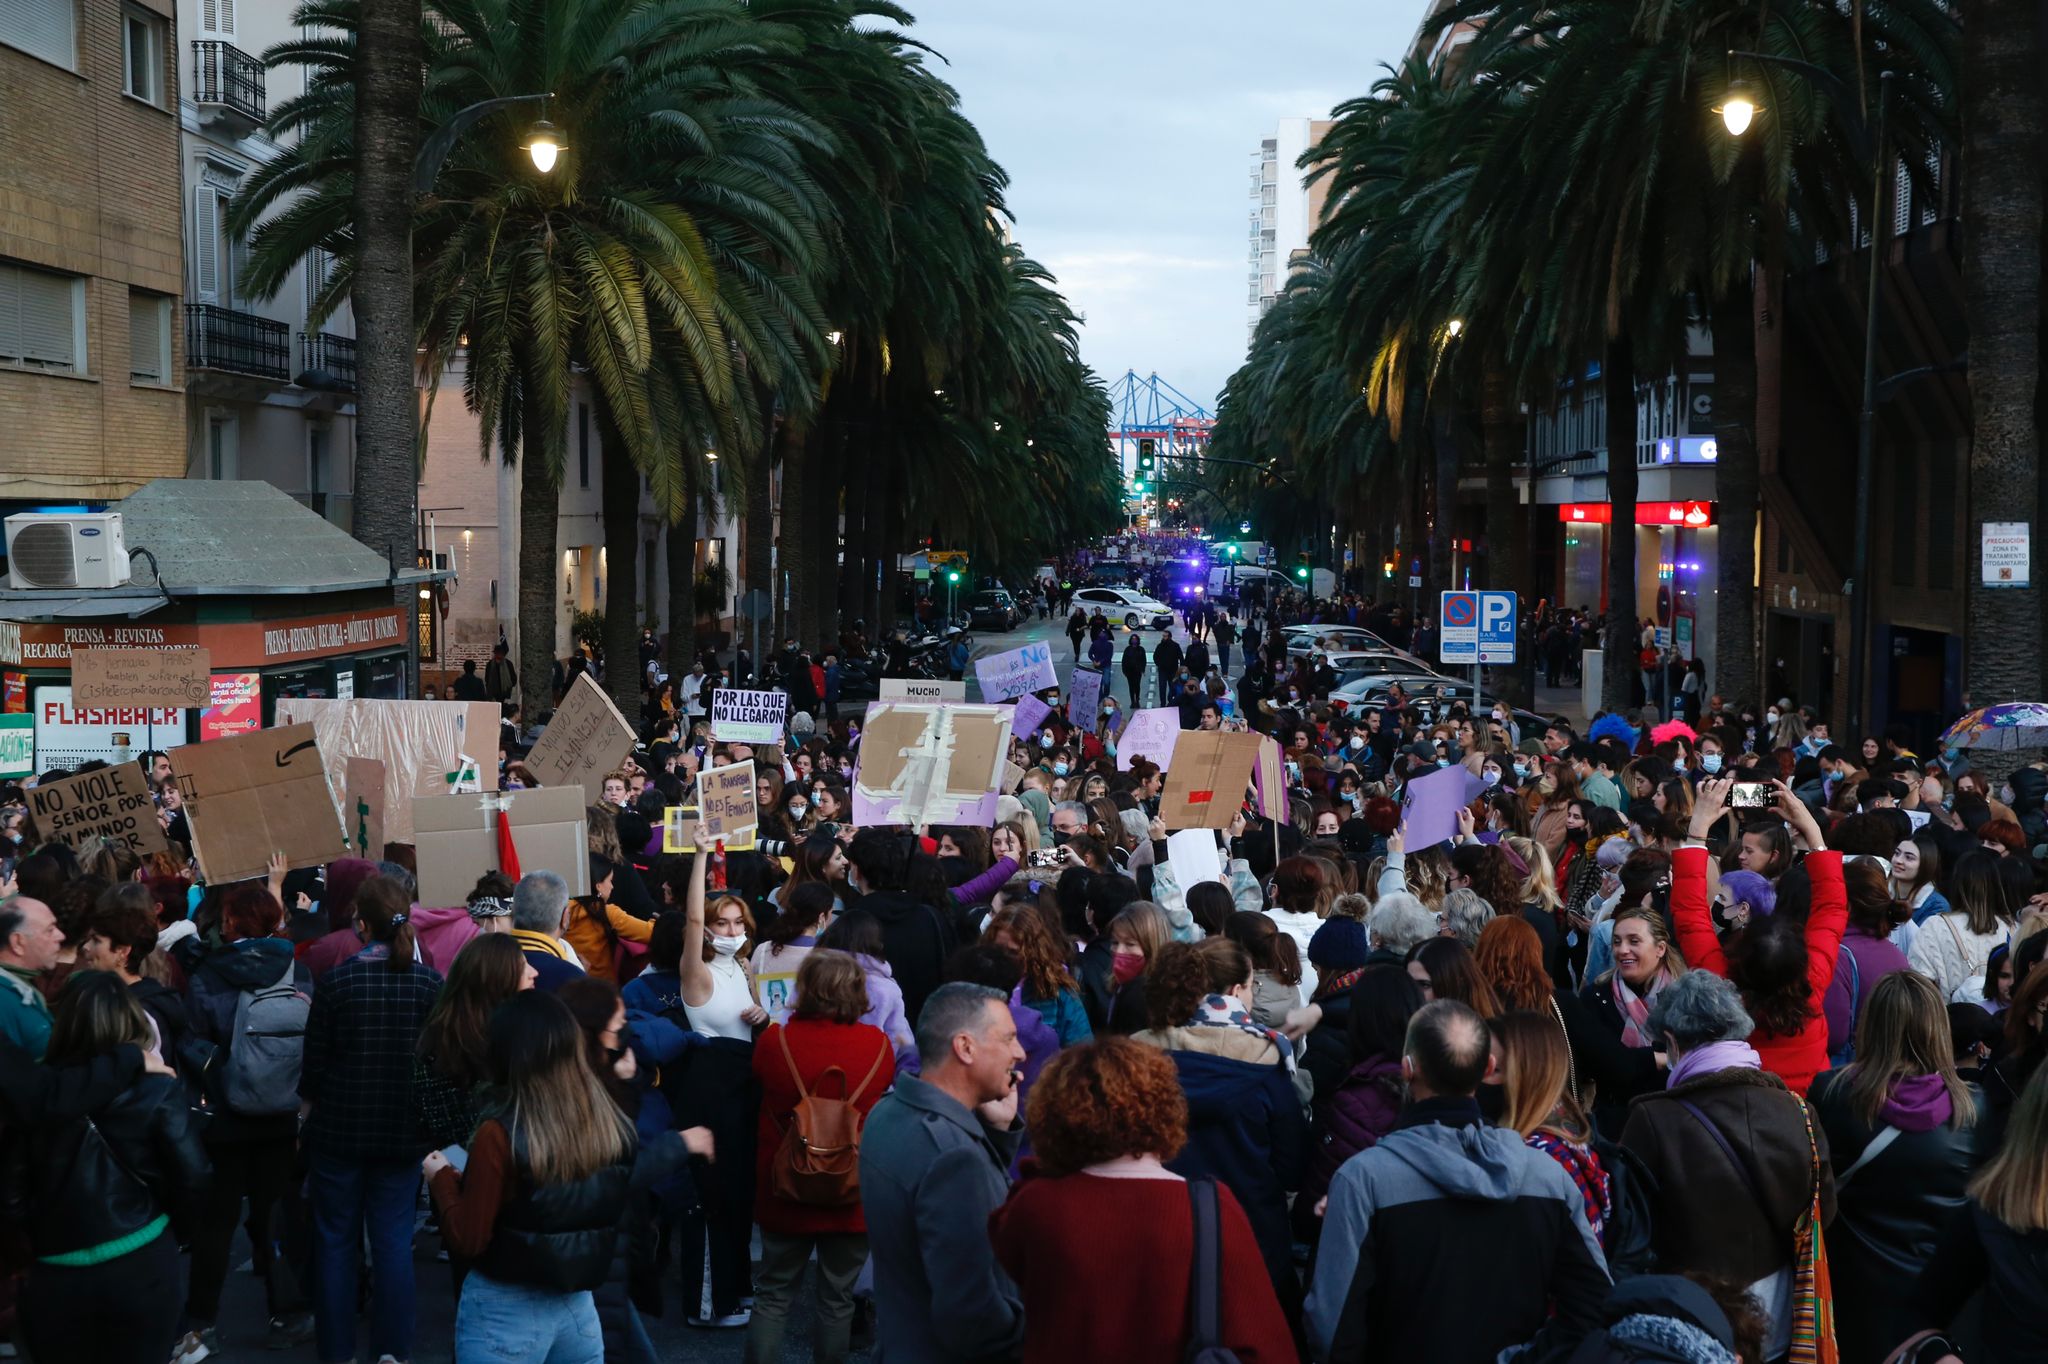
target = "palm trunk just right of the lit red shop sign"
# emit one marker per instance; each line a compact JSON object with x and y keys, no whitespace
{"x":1736,"y":486}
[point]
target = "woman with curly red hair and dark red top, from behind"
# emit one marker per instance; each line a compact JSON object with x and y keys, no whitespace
{"x":1099,"y":1205}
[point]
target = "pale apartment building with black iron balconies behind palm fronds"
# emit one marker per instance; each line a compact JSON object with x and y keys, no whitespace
{"x":269,"y":394}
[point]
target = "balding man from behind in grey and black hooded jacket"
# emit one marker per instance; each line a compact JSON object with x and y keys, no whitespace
{"x":1447,"y":1189}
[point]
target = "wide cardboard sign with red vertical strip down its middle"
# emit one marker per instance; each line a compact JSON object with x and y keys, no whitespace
{"x":456,"y":839}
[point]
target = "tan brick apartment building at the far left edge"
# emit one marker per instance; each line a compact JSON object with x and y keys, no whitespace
{"x":91,"y":275}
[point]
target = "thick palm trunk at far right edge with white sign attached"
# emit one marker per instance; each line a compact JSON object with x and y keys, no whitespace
{"x":2002,"y":271}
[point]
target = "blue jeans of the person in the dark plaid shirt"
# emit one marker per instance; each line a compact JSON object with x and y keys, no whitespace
{"x":351,"y":1197}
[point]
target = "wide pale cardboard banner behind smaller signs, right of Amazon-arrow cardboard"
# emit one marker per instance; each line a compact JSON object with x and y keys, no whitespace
{"x":425,"y":747}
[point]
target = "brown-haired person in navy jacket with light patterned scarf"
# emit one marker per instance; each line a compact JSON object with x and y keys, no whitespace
{"x":1244,"y":1121}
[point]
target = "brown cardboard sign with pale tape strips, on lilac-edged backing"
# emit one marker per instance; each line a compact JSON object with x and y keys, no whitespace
{"x":931,"y":765}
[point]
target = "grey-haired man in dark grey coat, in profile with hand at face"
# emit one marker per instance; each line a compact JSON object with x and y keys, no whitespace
{"x":935,"y":1162}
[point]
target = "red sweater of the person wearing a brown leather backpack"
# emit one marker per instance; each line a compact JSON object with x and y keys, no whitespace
{"x":818,"y":1048}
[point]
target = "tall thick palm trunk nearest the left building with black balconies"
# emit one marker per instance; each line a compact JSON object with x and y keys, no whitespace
{"x":388,"y":404}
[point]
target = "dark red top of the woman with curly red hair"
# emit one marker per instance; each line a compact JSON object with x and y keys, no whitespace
{"x":1064,"y":1238}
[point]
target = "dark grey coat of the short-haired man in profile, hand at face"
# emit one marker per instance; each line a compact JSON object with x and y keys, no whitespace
{"x":931,"y":1177}
